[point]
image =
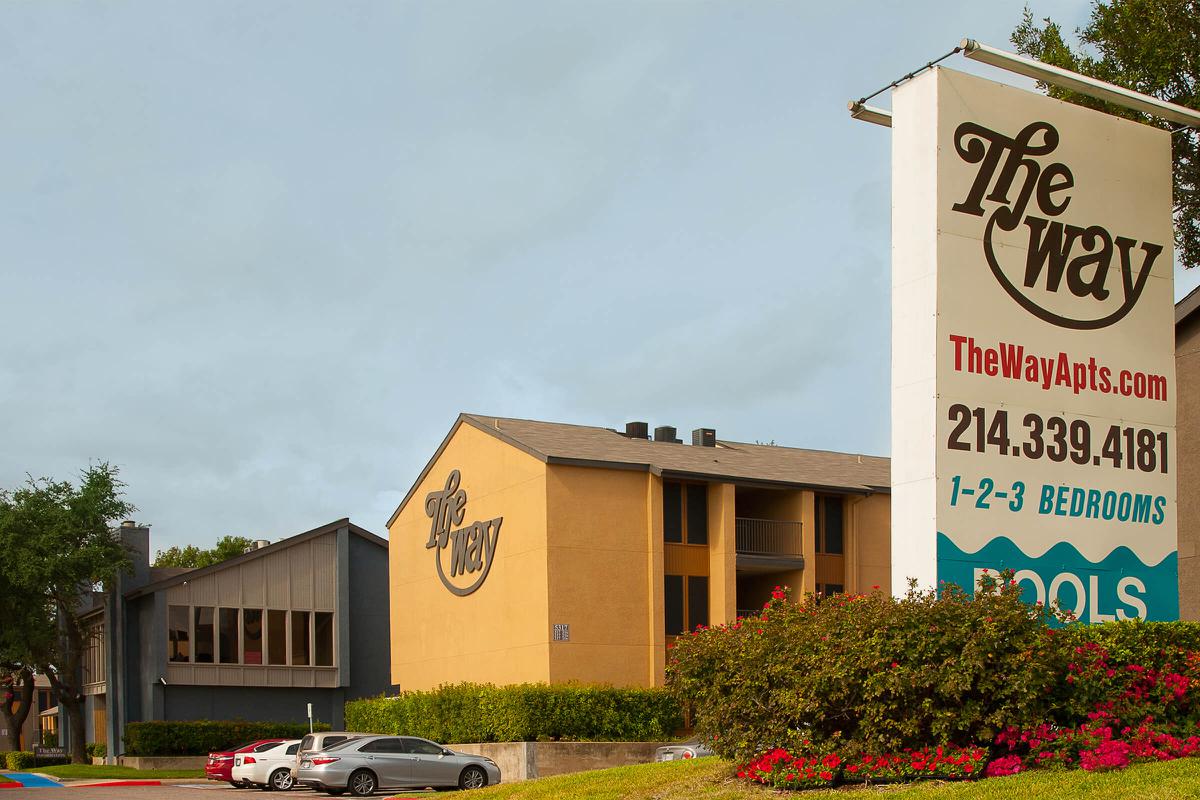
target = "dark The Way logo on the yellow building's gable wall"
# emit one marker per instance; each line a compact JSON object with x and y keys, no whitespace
{"x":471,"y":550}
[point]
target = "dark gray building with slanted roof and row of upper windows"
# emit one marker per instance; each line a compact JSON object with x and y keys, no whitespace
{"x":257,"y":637}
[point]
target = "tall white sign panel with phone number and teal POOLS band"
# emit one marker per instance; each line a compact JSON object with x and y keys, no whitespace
{"x":1034,"y":359}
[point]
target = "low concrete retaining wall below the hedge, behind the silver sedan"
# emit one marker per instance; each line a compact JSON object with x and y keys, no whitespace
{"x":523,"y":761}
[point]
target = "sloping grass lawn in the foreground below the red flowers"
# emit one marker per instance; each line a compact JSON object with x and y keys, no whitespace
{"x":712,"y":780}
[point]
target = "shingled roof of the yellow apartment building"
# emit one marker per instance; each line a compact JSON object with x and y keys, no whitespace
{"x":557,"y":443}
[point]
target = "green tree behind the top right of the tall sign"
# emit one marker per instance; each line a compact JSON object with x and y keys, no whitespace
{"x":1149,"y":46}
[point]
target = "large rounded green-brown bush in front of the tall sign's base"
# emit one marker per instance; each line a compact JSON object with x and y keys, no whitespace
{"x":884,"y":673}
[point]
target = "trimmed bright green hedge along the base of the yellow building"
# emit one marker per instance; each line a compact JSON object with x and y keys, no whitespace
{"x":470,"y":713}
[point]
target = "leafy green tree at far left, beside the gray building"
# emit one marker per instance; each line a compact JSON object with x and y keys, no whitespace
{"x":59,"y":543}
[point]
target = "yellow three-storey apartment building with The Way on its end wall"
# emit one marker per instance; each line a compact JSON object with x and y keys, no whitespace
{"x":544,"y":552}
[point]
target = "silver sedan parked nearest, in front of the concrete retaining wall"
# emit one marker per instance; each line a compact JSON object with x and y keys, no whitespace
{"x":371,"y":763}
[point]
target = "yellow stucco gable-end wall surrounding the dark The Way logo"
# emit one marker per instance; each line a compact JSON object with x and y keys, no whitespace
{"x":501,"y":633}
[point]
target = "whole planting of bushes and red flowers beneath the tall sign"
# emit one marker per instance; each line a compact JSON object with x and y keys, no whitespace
{"x":855,"y":688}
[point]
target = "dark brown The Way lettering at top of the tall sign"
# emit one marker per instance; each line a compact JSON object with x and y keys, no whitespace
{"x":1084,"y":255}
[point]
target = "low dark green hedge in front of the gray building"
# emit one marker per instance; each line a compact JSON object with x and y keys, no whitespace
{"x":202,"y":737}
